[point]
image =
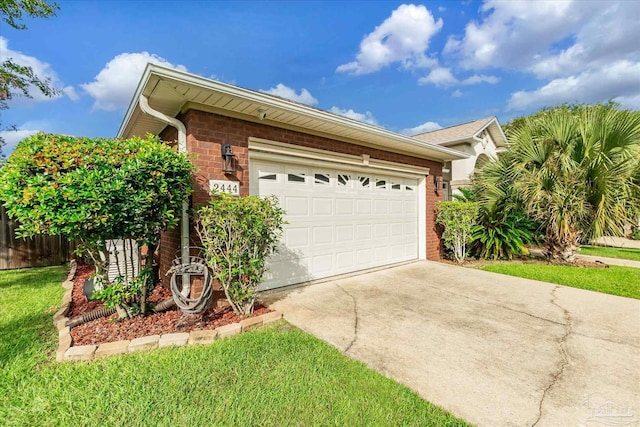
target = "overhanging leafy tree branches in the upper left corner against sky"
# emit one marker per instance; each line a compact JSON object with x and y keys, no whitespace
{"x":15,"y":77}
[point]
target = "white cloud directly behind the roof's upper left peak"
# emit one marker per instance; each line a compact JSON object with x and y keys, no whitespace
{"x":115,"y":84}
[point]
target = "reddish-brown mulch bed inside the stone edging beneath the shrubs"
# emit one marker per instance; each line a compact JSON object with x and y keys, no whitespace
{"x":108,"y":329}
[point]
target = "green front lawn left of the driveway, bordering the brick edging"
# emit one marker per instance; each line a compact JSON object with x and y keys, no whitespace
{"x":275,"y":375}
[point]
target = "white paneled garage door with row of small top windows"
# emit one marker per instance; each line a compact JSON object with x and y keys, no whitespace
{"x":339,"y":221}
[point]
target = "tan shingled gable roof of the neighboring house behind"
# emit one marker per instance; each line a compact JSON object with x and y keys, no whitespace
{"x":465,"y":132}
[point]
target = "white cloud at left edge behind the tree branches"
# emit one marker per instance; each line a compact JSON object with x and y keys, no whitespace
{"x":41,"y":69}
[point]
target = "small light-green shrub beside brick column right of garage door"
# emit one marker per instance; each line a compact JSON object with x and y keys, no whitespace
{"x":457,"y":220}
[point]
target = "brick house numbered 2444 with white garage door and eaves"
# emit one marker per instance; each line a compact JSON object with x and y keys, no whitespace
{"x":357,"y":196}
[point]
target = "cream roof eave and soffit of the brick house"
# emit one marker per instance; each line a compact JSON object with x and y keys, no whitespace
{"x":173,"y":92}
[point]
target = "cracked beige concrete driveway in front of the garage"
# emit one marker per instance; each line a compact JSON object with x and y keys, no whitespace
{"x":492,"y":349}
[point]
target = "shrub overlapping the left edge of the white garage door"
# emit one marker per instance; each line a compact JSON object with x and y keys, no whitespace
{"x":238,"y":235}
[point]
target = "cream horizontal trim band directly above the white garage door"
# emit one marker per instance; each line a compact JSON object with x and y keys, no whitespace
{"x":278,"y":151}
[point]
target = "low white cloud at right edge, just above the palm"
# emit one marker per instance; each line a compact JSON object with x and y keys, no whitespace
{"x":620,"y":80}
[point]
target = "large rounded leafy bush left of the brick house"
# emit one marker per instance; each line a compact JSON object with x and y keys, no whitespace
{"x":94,"y":190}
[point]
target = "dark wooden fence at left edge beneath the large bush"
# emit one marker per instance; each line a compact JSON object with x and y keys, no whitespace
{"x":38,"y":251}
